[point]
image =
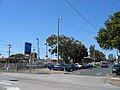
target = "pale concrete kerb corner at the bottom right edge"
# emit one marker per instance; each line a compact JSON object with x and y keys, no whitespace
{"x":113,"y":79}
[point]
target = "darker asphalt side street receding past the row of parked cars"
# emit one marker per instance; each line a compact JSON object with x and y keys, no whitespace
{"x":94,"y":71}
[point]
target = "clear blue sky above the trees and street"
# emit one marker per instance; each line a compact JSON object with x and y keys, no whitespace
{"x":24,"y":20}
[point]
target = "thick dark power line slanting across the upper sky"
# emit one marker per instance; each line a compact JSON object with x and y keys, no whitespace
{"x":80,"y":14}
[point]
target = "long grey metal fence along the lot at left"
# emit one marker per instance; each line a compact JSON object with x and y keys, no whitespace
{"x":20,"y":67}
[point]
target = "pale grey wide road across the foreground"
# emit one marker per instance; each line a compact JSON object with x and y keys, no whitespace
{"x":53,"y":82}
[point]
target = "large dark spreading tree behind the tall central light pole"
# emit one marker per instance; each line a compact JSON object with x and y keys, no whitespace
{"x":68,"y":48}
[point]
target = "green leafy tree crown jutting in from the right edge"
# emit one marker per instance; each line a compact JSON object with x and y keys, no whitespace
{"x":109,"y":36}
